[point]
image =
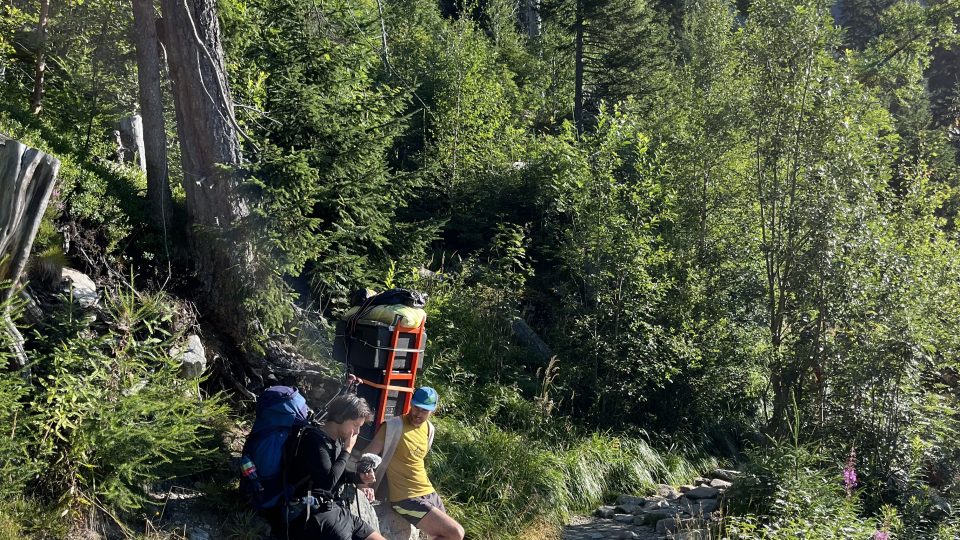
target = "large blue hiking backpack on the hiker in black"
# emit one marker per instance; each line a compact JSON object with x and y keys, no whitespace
{"x":281,"y":411}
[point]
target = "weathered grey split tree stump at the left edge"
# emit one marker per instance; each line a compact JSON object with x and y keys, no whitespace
{"x":27,"y":177}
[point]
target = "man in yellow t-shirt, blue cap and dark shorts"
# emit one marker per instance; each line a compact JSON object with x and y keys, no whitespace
{"x":404,"y":442}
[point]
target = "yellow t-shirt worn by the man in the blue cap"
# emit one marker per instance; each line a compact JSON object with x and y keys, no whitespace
{"x":406,"y":473}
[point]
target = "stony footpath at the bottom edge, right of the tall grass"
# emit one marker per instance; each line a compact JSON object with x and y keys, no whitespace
{"x":683,"y":513}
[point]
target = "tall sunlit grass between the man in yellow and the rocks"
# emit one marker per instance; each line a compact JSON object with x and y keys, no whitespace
{"x":499,"y":483}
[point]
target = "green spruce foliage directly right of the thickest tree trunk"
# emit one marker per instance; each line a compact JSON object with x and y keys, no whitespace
{"x":329,"y":200}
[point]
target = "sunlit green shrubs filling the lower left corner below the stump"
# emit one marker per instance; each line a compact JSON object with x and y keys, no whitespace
{"x":106,"y":413}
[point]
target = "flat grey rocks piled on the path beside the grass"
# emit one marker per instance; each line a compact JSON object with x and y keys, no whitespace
{"x":684,"y":513}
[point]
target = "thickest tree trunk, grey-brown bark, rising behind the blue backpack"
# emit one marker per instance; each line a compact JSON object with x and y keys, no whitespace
{"x":210,"y":155}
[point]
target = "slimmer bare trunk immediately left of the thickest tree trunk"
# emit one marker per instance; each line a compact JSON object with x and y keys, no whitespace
{"x":151,"y":108}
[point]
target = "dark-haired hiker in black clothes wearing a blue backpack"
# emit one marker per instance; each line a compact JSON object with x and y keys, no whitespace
{"x":294,"y":469}
